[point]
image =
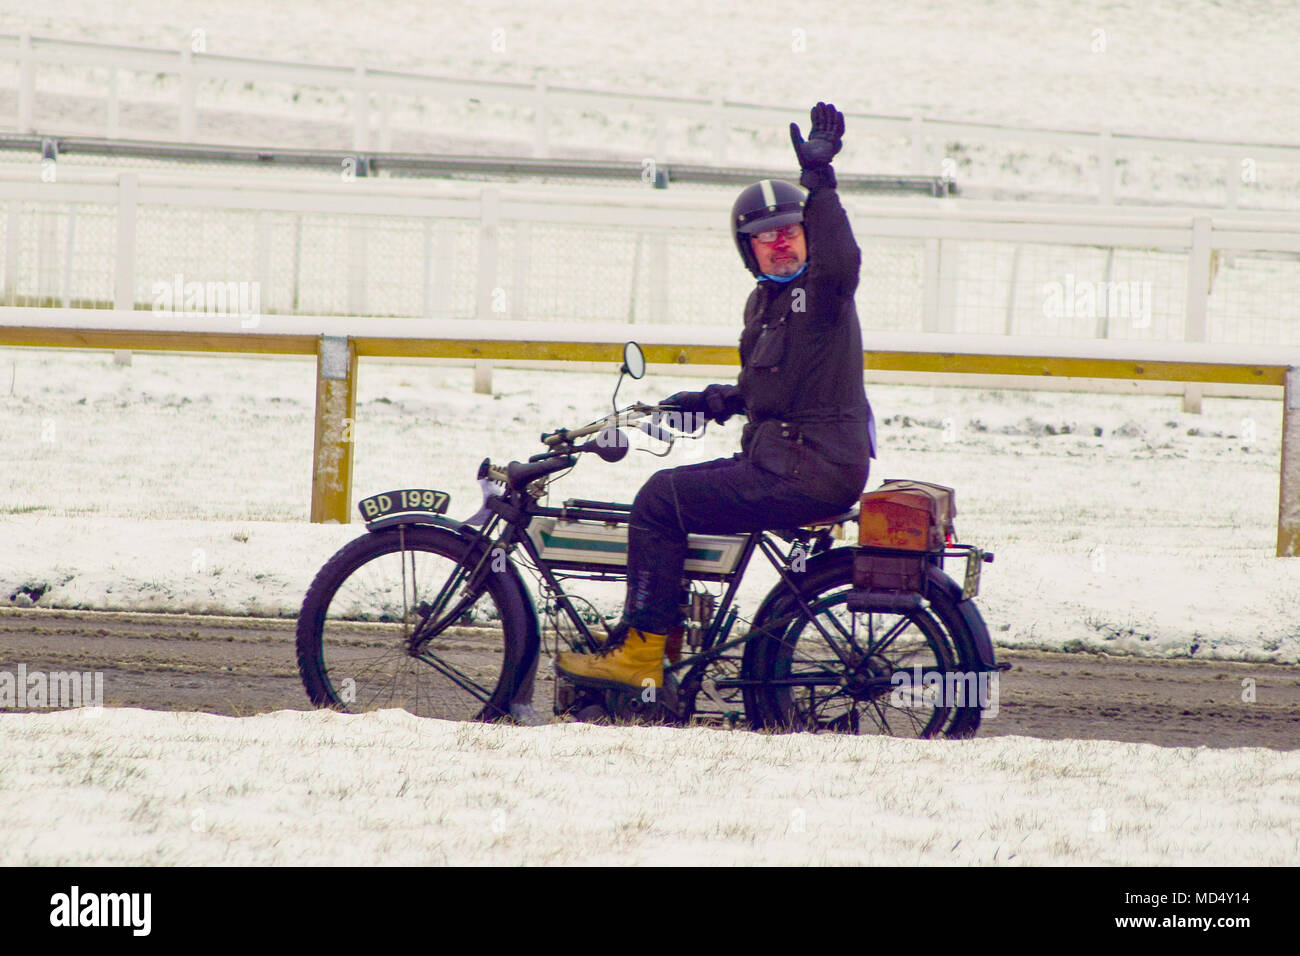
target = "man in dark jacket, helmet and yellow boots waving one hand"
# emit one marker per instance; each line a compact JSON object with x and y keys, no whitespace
{"x":807,"y":447}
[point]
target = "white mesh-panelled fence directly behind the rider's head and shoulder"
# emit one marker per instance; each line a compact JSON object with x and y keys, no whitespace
{"x":483,"y":252}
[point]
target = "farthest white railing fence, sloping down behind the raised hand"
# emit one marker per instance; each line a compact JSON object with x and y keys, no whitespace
{"x":163,"y":94}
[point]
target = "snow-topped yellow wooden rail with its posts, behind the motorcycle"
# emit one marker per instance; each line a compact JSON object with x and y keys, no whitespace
{"x":336,"y":395}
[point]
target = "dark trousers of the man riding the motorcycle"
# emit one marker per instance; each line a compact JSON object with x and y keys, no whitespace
{"x":725,"y":496}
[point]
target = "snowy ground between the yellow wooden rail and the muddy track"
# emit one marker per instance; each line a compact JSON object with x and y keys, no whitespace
{"x":183,"y":483}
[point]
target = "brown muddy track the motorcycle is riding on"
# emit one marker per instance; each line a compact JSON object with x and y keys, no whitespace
{"x":242,"y":667}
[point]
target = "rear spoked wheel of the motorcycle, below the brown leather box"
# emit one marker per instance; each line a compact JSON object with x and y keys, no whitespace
{"x":801,"y":685}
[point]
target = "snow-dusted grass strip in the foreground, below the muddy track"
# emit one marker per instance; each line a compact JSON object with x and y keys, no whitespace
{"x":131,"y":788}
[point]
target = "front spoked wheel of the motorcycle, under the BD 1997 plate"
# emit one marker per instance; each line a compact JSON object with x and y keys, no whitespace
{"x":359,"y":644}
